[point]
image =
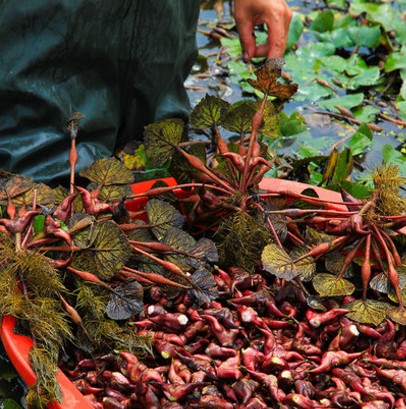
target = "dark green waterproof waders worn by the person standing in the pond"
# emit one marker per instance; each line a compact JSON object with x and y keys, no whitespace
{"x":121,"y":63}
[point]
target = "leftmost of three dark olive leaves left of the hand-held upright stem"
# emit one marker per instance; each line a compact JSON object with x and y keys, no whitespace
{"x":161,"y":139}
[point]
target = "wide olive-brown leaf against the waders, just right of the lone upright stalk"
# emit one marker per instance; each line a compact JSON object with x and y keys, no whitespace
{"x":109,"y":171}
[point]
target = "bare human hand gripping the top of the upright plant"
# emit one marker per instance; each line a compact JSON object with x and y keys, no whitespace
{"x":276,"y":14}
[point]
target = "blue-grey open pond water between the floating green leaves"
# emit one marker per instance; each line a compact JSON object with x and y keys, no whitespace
{"x":324,"y":130}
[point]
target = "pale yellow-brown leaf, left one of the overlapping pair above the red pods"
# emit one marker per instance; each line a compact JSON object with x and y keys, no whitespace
{"x":276,"y":261}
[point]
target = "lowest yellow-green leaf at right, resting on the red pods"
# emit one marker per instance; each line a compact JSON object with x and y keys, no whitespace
{"x":368,"y":311}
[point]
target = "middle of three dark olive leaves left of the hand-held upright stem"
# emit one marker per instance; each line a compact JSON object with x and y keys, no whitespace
{"x":207,"y":112}
